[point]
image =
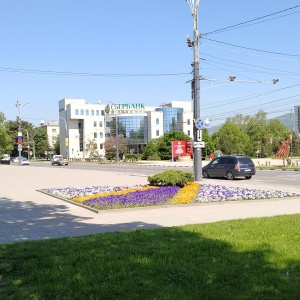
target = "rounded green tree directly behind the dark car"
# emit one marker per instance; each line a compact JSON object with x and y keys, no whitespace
{"x":230,"y":139}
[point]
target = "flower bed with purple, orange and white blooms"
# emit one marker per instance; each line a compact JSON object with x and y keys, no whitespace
{"x":104,"y":197}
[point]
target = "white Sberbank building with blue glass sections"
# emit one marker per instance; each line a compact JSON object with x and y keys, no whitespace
{"x":81,"y":123}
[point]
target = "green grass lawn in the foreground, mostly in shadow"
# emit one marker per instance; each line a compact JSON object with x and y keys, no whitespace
{"x":245,"y":259}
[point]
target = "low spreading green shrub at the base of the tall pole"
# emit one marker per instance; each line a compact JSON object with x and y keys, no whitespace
{"x":171,"y":177}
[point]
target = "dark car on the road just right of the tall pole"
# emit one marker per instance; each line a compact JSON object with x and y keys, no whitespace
{"x":230,"y":166}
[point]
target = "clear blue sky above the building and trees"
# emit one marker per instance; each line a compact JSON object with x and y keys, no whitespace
{"x":136,"y":52}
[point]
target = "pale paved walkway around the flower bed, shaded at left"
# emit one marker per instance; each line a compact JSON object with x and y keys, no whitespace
{"x":26,"y":214}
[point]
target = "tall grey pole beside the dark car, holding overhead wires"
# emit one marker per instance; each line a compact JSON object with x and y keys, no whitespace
{"x":197,"y":155}
